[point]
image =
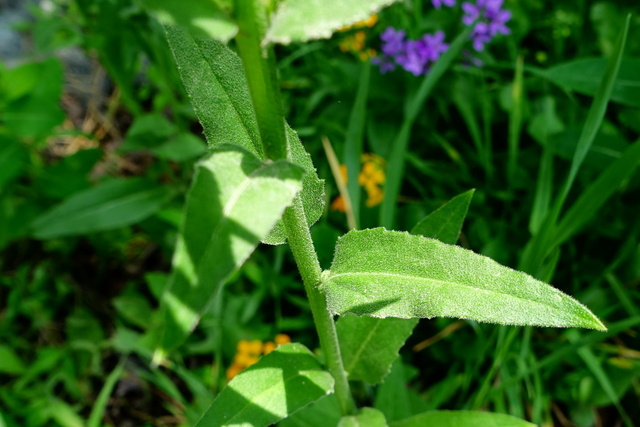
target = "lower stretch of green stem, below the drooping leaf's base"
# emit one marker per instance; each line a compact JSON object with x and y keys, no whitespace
{"x":305,"y":255}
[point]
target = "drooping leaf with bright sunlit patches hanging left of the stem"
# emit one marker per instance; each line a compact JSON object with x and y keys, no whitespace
{"x":234,"y":201}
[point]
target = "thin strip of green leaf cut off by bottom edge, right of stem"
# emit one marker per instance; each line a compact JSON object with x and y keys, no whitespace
{"x":461,"y":419}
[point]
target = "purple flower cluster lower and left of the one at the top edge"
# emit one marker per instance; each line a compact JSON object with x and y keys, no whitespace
{"x":414,"y":56}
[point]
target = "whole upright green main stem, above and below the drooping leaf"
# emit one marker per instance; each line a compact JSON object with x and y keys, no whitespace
{"x":260,"y":69}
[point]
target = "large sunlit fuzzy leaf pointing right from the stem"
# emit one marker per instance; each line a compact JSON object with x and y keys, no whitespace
{"x":382,"y":273}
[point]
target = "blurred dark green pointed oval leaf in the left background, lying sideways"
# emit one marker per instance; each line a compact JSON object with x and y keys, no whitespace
{"x":110,"y":205}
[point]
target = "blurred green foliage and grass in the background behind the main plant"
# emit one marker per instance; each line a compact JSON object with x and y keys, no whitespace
{"x":97,"y":148}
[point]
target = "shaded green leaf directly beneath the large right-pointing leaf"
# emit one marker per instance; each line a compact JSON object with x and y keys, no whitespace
{"x":369,"y":345}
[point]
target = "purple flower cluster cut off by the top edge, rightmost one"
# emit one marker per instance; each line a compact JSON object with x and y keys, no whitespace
{"x":491,"y":20}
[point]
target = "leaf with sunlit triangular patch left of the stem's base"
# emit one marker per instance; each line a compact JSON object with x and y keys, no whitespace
{"x":282,"y":382}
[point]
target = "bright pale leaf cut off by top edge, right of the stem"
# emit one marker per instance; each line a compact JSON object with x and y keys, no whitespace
{"x":302,"y":20}
